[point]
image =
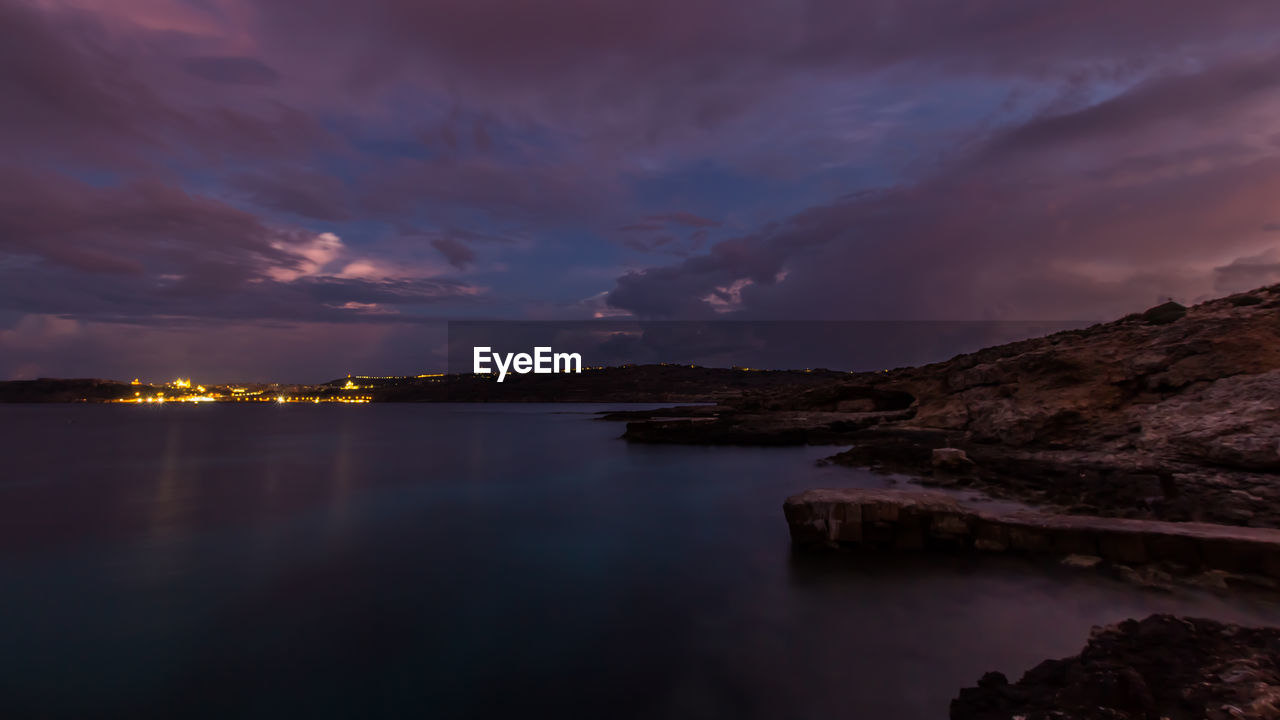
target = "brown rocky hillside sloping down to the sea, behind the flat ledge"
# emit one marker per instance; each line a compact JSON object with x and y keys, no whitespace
{"x":1172,"y":414}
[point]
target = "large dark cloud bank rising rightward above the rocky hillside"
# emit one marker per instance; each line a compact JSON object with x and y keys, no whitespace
{"x":1064,"y":227}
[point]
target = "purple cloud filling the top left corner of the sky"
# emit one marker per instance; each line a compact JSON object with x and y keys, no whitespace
{"x":80,"y":89}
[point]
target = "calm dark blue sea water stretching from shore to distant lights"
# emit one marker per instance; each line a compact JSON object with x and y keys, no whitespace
{"x":477,"y":562}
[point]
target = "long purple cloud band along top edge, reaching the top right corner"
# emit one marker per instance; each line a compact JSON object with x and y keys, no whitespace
{"x":662,"y":70}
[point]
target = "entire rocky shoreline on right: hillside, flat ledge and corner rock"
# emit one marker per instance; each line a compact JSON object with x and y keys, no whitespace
{"x":1149,"y":446}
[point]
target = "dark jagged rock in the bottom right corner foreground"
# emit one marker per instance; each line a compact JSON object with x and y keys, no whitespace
{"x":1160,"y":668}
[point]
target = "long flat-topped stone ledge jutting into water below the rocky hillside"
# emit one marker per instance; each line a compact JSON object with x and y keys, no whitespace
{"x":889,"y":520}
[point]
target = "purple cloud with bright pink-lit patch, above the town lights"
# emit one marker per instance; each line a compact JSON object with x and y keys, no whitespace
{"x":148,"y":250}
